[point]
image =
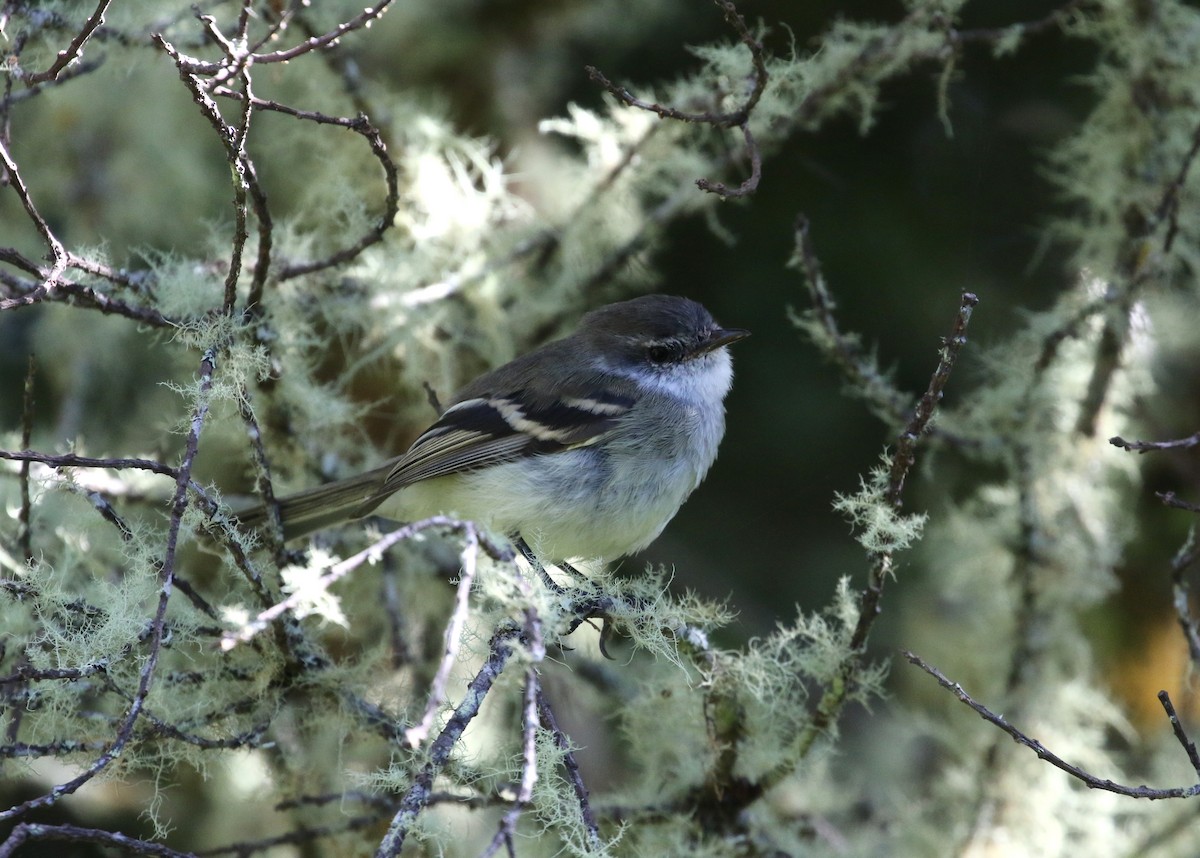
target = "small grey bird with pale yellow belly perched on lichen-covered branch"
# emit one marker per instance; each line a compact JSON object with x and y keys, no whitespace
{"x":583,"y":449}
